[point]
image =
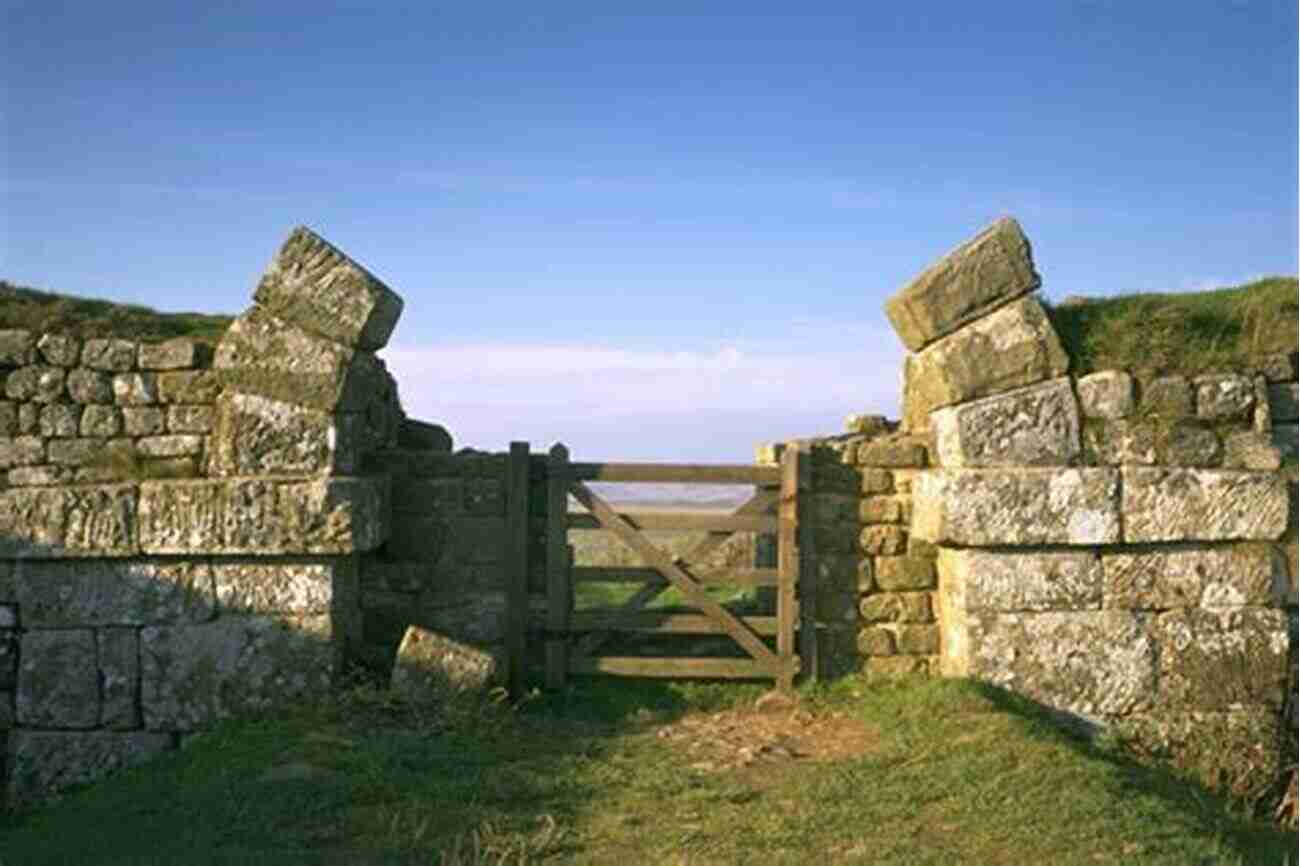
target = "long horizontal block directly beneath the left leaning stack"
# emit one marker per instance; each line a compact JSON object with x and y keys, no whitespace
{"x":265,"y":517}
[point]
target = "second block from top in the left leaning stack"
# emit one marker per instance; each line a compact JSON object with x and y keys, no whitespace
{"x":265,"y":356}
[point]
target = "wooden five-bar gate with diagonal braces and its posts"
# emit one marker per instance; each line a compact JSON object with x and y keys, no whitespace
{"x":571,"y":640}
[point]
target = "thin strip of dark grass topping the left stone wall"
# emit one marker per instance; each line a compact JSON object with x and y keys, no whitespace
{"x":47,"y":313}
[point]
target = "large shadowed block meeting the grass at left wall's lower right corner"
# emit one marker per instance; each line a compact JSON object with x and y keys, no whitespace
{"x":196,"y":676}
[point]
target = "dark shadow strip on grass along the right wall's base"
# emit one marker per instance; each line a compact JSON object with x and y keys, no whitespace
{"x":1254,"y":838}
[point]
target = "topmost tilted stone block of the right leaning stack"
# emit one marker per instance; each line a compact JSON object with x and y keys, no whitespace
{"x":970,"y":283}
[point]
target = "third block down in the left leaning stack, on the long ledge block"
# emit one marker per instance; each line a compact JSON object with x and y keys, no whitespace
{"x":261,"y":436}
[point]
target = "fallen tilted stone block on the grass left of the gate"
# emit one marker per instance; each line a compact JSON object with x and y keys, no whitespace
{"x":431,"y":665}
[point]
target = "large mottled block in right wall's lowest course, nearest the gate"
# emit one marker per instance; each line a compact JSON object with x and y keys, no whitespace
{"x":1090,"y":664}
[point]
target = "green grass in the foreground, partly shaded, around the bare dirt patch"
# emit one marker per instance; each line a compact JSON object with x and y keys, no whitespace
{"x":952,"y":773}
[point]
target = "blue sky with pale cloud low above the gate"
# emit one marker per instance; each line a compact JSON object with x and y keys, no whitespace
{"x":651,"y":231}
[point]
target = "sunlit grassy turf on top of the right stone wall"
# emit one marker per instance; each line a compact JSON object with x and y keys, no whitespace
{"x":1227,"y":330}
